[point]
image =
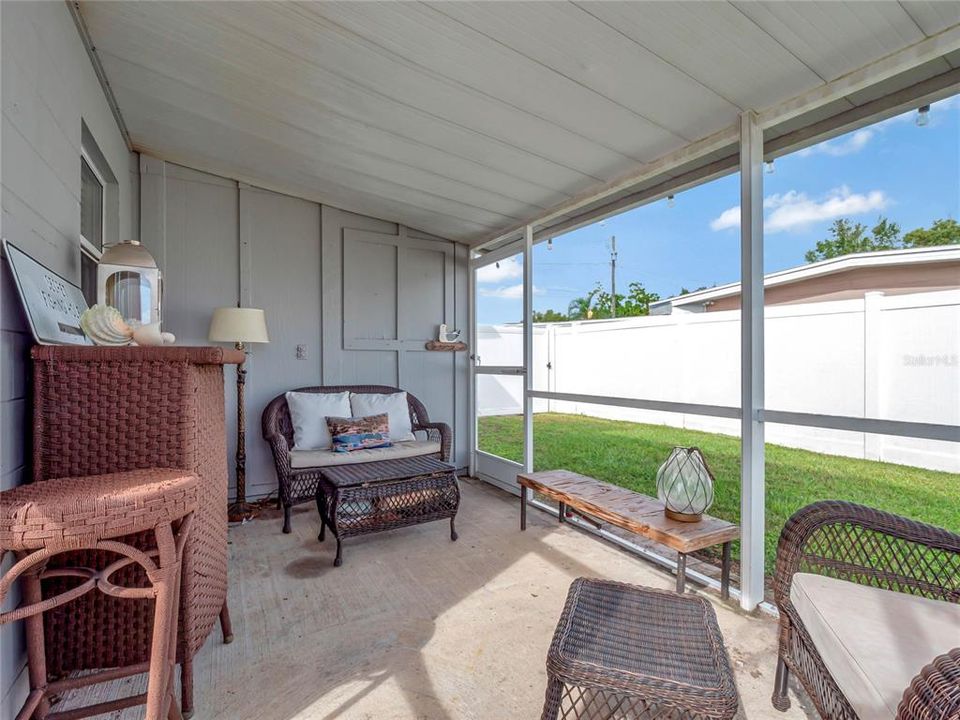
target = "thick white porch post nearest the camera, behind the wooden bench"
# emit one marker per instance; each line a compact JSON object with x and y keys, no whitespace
{"x":751,"y":362}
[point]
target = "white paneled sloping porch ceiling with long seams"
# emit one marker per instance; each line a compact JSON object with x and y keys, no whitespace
{"x":465,"y":118}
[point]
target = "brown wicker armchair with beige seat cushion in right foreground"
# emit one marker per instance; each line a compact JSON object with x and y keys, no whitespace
{"x":869,"y":614}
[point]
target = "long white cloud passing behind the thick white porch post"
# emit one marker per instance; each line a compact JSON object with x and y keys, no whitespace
{"x":795,"y":210}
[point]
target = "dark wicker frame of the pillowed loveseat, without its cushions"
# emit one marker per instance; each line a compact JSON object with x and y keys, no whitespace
{"x":300,"y":485}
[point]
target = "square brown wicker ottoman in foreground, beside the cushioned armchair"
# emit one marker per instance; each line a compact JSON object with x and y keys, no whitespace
{"x":632,"y":653}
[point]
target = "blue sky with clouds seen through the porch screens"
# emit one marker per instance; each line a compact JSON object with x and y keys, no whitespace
{"x":906,"y":173}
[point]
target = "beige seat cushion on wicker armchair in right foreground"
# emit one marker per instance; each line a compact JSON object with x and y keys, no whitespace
{"x":873,"y":641}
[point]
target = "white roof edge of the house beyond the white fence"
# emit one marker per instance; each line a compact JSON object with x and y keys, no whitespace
{"x":856,"y":261}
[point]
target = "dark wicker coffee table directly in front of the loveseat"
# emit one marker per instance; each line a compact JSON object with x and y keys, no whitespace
{"x":376,"y":496}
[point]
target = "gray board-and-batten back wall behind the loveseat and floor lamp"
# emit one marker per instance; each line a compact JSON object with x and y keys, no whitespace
{"x":361,"y":295}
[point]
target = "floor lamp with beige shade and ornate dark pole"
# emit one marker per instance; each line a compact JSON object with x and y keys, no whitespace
{"x":240,"y":326}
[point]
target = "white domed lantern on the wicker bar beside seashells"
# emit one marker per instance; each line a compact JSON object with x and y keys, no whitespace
{"x":129,"y":280}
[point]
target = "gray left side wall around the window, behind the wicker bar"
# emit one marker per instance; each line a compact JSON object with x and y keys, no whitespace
{"x":49,"y":91}
